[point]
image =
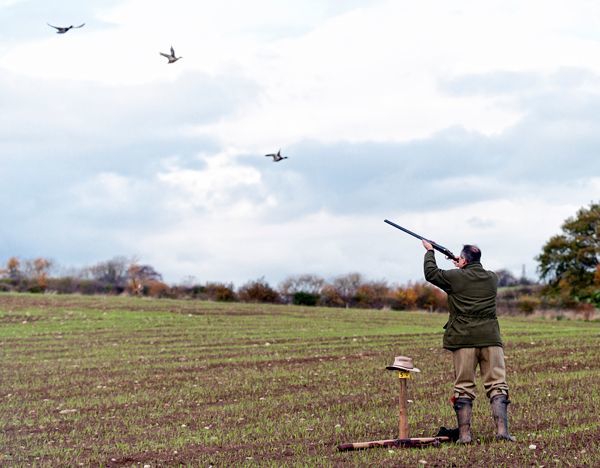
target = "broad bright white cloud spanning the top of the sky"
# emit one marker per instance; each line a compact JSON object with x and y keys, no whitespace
{"x":368,"y":73}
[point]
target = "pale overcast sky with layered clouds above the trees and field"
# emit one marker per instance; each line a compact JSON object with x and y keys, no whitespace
{"x":466,"y":121}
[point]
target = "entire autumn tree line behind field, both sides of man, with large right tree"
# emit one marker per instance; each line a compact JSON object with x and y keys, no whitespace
{"x":569,"y":270}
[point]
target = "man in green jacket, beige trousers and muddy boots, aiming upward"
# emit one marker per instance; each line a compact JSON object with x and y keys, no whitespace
{"x":473,"y":336}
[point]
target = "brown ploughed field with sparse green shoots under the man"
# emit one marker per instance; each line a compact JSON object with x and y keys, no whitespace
{"x":127,"y":381}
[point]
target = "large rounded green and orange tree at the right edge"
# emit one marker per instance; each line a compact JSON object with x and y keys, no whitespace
{"x":569,"y":261}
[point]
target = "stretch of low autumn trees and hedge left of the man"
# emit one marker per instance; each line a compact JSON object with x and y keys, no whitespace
{"x":125,"y":276}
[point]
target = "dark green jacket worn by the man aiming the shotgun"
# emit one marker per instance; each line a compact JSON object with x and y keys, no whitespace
{"x":471,"y":303}
